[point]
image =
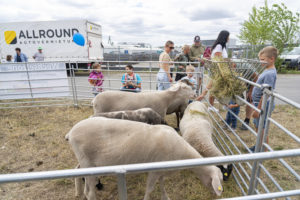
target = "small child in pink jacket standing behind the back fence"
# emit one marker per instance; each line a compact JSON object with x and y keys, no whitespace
{"x":96,"y":78}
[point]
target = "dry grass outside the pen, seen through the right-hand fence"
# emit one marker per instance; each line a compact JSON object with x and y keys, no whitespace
{"x":278,"y":140}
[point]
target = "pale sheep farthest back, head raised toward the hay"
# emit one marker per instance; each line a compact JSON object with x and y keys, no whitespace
{"x":159,"y":101}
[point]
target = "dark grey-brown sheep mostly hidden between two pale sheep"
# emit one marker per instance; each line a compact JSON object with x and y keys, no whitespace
{"x":146,"y":115}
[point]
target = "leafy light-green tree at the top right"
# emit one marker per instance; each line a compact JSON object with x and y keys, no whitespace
{"x":276,"y":25}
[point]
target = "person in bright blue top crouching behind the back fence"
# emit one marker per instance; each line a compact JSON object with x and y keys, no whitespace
{"x":131,"y":82}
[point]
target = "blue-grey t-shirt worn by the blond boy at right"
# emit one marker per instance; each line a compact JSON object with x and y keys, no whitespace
{"x":269,"y":77}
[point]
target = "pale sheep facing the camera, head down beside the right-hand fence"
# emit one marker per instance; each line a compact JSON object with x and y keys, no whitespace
{"x":196,"y":128}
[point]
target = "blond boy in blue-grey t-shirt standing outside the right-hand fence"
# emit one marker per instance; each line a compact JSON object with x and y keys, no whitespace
{"x":269,"y":76}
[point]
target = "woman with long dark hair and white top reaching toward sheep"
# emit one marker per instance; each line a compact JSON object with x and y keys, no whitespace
{"x":218,"y":50}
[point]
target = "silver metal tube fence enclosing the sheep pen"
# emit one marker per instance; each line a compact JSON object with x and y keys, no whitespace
{"x":81,"y":95}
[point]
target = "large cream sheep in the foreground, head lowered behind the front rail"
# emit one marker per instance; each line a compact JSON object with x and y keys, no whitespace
{"x":100,"y":141}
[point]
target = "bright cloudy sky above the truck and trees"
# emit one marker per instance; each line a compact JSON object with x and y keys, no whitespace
{"x":148,"y":21}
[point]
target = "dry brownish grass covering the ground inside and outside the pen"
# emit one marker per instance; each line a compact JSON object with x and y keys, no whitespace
{"x":32,"y":139}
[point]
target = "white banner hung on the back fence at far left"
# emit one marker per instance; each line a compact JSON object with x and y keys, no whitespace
{"x":33,"y":80}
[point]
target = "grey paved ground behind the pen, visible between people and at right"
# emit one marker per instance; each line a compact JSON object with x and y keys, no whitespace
{"x":287,"y":85}
